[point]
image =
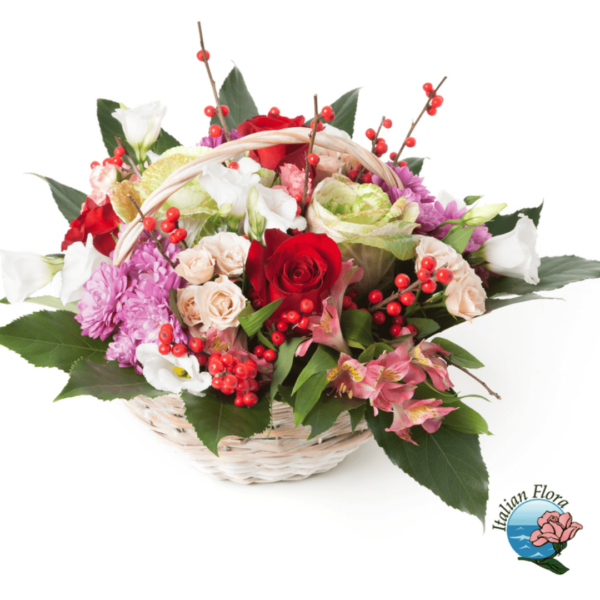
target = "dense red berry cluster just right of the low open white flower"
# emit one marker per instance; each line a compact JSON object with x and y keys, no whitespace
{"x":232,"y":376}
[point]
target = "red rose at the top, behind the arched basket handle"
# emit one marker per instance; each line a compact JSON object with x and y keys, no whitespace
{"x":274,"y":156}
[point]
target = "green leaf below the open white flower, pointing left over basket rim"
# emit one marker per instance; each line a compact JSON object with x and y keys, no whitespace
{"x":106,"y":382}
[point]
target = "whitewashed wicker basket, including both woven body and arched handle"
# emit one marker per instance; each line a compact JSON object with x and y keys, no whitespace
{"x":284,"y":453}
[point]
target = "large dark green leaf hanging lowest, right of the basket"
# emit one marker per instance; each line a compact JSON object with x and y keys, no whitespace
{"x":447,"y":462}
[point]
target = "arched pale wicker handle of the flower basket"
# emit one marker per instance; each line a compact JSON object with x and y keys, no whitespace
{"x":255,"y":141}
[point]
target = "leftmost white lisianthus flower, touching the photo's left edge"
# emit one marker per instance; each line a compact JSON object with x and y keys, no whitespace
{"x":24,"y":273}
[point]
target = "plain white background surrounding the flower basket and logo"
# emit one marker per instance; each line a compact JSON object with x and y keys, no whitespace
{"x":92,"y":506}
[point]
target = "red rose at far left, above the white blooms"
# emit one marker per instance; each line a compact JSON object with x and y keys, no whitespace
{"x":100,"y":221}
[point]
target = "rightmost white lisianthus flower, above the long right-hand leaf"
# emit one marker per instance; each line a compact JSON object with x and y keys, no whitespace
{"x":513,"y":254}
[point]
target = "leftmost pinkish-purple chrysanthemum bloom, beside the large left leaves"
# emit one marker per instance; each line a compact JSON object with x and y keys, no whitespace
{"x":102,"y":301}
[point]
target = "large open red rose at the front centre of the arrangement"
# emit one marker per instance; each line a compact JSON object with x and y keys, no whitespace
{"x":293,"y":268}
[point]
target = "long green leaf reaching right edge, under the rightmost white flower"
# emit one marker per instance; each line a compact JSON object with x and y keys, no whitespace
{"x":554,"y":272}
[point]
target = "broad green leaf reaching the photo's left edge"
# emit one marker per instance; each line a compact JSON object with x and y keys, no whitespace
{"x":51,"y":339}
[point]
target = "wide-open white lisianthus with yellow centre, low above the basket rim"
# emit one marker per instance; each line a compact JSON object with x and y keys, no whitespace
{"x":169,"y":373}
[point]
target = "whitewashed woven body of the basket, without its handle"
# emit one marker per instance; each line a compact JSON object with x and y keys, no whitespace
{"x":283,"y":454}
